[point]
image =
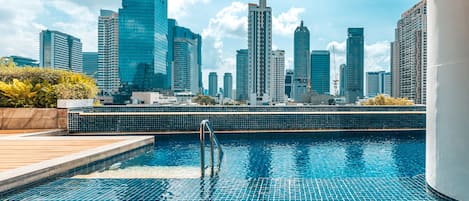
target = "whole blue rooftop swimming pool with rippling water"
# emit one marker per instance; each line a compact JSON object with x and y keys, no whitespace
{"x":320,"y":166}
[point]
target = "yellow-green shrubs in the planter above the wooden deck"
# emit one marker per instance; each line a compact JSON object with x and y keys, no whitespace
{"x":41,"y":87}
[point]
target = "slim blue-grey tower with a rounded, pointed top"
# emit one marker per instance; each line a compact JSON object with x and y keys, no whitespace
{"x":302,"y":64}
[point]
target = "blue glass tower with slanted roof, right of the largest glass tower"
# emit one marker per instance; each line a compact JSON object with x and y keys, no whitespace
{"x":186,"y":61}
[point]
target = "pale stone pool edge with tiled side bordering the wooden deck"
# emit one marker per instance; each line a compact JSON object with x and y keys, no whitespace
{"x":84,"y":162}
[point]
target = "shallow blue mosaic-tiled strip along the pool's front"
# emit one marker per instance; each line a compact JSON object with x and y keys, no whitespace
{"x":408,"y":188}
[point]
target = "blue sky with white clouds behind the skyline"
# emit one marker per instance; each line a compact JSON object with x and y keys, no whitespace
{"x":222,"y":23}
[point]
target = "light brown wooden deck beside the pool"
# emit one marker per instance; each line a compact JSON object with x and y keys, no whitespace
{"x":15,"y":153}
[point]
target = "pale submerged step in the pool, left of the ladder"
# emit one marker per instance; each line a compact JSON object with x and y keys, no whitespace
{"x":146,"y":172}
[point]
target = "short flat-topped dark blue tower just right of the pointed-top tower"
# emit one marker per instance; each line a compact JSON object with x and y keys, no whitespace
{"x":321,"y":71}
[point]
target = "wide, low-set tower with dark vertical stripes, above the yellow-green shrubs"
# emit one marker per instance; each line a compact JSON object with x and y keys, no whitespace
{"x":61,"y":51}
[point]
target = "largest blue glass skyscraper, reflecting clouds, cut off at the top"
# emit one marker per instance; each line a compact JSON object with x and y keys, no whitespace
{"x":143,"y":45}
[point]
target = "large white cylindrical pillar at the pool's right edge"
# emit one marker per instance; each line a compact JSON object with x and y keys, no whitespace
{"x":447,"y":162}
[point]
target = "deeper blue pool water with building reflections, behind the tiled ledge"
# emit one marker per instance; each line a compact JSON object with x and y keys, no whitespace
{"x":335,"y":155}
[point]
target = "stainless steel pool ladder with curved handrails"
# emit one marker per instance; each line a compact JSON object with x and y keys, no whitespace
{"x":206,"y":126}
